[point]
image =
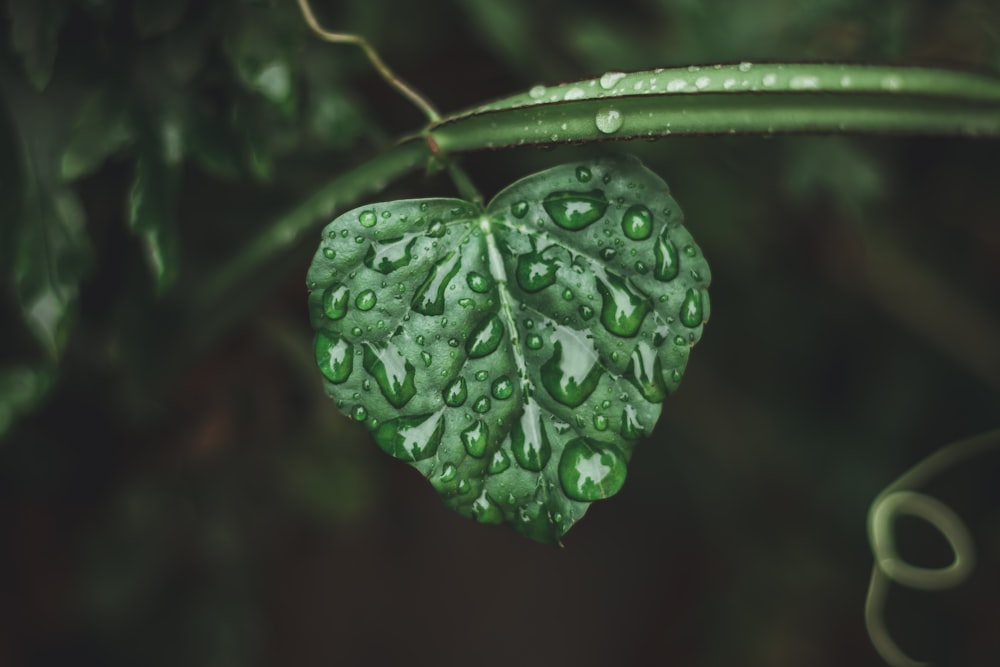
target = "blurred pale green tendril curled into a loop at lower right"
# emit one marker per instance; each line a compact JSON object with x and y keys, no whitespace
{"x":899,"y":498}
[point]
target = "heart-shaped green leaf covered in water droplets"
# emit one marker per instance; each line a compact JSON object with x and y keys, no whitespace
{"x":513,"y":354}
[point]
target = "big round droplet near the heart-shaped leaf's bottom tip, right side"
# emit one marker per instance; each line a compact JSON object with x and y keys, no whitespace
{"x":590,"y":471}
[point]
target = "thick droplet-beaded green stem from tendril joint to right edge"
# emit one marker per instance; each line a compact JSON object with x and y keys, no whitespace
{"x":733,"y":99}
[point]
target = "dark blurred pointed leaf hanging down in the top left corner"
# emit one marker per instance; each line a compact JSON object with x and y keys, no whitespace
{"x":34,"y":33}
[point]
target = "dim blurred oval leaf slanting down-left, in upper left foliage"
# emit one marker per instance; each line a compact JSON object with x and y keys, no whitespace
{"x":102,"y":128}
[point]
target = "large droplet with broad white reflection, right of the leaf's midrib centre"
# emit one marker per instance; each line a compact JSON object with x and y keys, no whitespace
{"x":571,"y":374}
